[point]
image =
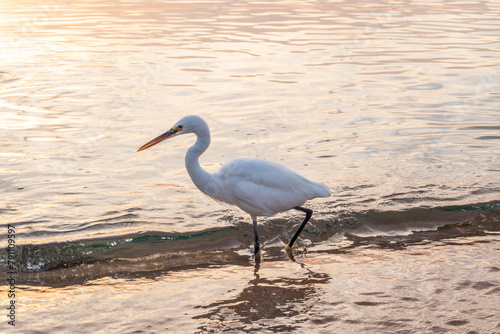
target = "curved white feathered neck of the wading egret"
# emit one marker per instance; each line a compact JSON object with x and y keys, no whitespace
{"x":205,"y":181}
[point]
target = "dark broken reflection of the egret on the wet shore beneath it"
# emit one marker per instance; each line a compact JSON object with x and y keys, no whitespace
{"x":279,"y":304}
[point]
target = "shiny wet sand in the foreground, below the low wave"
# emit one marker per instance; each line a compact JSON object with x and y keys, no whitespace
{"x":436,"y":287}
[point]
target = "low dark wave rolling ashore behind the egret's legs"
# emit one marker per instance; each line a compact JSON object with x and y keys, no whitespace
{"x":393,"y":229}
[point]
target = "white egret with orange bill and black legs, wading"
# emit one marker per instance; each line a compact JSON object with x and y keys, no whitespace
{"x":258,"y":187}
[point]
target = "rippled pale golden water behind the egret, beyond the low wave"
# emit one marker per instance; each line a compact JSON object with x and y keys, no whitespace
{"x":388,"y":96}
